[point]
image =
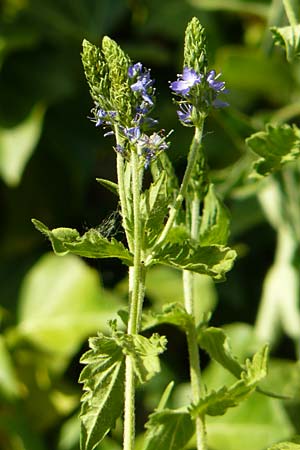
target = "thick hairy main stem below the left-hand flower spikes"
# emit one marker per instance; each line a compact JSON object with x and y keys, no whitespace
{"x":136,"y":291}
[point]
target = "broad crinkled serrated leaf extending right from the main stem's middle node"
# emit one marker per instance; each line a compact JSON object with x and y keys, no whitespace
{"x":181,"y":253}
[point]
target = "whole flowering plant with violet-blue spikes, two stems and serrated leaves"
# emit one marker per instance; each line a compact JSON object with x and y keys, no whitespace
{"x":177,"y":223}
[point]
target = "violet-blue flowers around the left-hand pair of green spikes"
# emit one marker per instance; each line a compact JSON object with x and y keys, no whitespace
{"x":148,"y":147}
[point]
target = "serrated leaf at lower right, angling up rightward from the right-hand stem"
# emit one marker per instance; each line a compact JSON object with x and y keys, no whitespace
{"x":216,"y":403}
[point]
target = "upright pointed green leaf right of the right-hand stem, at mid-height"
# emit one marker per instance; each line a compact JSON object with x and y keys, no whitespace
{"x":214,"y":228}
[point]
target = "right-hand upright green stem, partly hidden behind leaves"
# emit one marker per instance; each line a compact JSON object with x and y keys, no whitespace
{"x":194,"y":359}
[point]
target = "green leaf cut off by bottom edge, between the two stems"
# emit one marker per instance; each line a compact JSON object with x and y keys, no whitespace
{"x":168,"y":430}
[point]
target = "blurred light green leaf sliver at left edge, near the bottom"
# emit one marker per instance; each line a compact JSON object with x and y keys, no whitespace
{"x":9,"y":383}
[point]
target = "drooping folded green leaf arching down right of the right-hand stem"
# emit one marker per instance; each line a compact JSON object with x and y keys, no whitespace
{"x":216,"y":343}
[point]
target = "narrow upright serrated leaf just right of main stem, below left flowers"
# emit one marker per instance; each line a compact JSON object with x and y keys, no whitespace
{"x":154,"y":208}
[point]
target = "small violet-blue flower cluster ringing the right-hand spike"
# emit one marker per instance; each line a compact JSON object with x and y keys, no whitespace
{"x":198,"y":90}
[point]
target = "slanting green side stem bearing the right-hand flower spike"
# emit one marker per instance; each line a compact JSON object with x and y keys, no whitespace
{"x":192,"y":159}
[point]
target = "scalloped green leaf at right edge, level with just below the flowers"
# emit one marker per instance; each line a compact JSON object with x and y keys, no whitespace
{"x":278,"y":145}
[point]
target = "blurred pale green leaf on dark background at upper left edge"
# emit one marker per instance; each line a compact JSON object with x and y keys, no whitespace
{"x":17,"y":145}
